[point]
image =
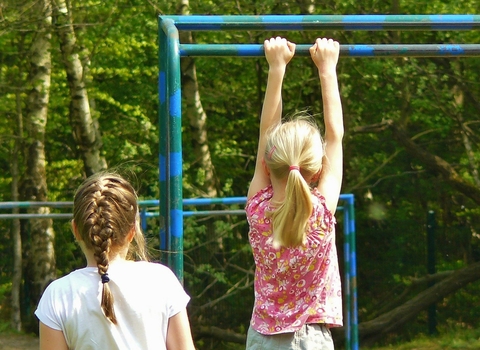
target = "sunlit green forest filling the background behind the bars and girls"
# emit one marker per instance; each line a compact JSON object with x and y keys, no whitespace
{"x":78,"y":94}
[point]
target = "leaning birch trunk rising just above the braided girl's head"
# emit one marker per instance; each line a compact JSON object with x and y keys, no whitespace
{"x":85,"y":129}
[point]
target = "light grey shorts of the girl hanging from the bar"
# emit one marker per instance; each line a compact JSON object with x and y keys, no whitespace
{"x":309,"y":337}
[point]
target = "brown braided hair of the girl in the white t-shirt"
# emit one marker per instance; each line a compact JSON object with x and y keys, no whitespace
{"x":105,"y":211}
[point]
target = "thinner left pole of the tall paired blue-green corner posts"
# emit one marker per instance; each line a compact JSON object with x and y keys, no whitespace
{"x":164,"y":147}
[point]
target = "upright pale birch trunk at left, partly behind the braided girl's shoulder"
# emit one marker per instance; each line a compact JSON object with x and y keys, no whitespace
{"x":40,"y":264}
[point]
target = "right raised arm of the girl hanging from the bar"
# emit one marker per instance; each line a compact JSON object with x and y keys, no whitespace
{"x":325,"y":54}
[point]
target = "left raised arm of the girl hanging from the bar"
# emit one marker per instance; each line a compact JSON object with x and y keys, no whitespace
{"x":278,"y":52}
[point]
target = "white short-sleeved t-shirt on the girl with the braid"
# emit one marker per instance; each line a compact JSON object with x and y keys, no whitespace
{"x":145,"y":294}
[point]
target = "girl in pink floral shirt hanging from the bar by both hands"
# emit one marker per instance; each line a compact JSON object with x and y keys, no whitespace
{"x":290,"y":210}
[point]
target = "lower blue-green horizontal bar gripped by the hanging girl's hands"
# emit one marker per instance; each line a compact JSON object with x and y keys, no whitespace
{"x":395,"y":50}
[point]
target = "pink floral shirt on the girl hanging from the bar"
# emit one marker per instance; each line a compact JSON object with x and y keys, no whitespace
{"x":294,"y":286}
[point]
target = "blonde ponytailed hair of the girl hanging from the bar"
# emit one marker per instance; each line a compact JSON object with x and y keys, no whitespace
{"x":294,"y":151}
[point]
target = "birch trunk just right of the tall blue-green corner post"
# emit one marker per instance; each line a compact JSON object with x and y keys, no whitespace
{"x":196,"y":116}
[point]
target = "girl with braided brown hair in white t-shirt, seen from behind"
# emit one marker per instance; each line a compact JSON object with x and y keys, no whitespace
{"x":113,"y":302}
